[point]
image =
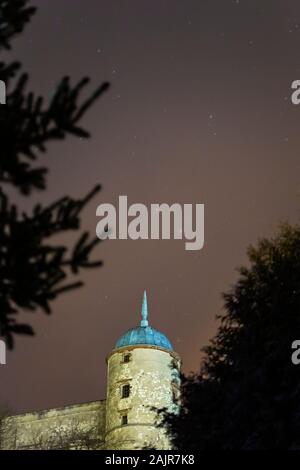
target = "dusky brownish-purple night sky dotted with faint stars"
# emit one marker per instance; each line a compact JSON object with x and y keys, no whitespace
{"x":199,"y":112}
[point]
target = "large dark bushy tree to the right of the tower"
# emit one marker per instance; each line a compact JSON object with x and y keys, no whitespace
{"x":247,"y":394}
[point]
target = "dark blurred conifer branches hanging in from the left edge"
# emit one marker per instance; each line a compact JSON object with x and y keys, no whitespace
{"x":34,"y":271}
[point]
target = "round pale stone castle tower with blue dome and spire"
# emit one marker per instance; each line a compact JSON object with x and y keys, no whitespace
{"x":143,"y":374}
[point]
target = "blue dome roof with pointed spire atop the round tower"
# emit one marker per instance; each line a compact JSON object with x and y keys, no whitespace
{"x":144,"y":334}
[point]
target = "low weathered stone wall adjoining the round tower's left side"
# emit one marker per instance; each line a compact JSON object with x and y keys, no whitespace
{"x":72,"y":427}
